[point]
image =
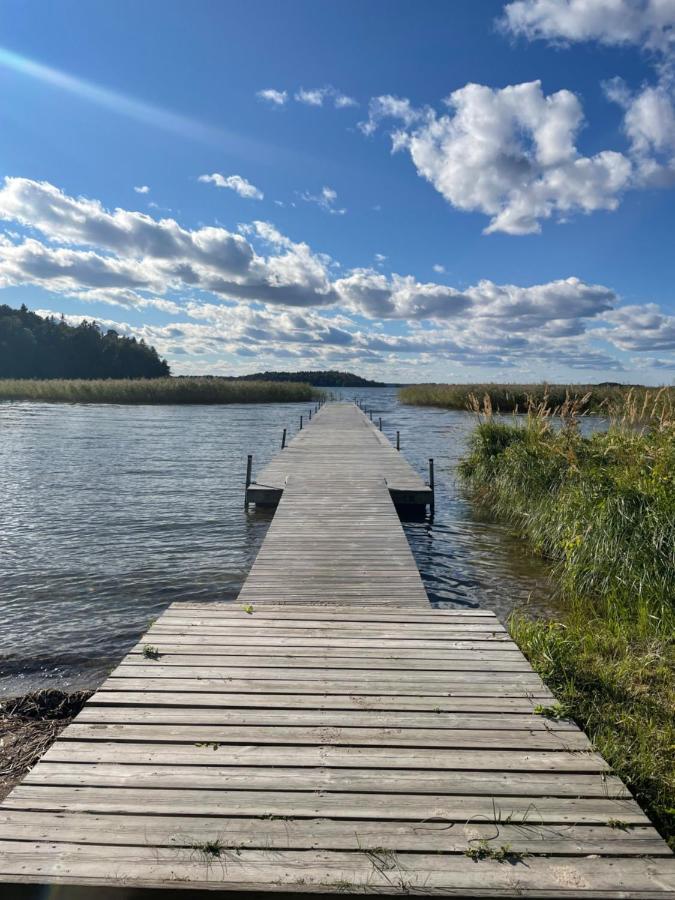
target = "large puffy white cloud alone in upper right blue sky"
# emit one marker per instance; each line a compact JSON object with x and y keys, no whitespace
{"x":511,"y":154}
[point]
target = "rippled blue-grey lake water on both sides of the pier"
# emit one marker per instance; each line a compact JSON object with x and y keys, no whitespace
{"x":109,"y":513}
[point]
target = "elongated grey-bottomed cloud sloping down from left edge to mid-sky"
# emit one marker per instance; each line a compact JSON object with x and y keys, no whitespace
{"x":155,"y":254}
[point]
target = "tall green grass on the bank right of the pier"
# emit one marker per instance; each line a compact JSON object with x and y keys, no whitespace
{"x":602,"y":509}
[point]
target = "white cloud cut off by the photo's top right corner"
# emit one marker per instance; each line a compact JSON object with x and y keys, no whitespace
{"x":648,"y":23}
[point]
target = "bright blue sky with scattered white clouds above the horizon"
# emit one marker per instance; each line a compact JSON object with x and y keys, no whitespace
{"x":414,"y":191}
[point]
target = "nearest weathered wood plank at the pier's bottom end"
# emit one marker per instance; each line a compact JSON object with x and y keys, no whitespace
{"x":337,"y":871}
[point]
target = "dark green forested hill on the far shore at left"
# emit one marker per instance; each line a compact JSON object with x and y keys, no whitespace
{"x":35,"y":347}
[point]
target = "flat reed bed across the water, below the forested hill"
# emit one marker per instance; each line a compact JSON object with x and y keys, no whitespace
{"x":156,"y":390}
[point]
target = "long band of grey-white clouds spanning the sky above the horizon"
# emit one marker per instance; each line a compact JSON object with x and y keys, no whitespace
{"x":260,"y":291}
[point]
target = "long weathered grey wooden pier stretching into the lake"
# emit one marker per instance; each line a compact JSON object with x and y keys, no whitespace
{"x":329,"y":732}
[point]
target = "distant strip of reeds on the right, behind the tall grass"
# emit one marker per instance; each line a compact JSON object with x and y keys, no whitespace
{"x":505,"y":398}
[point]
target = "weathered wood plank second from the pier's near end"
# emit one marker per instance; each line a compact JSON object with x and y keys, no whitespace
{"x":308,"y":834}
